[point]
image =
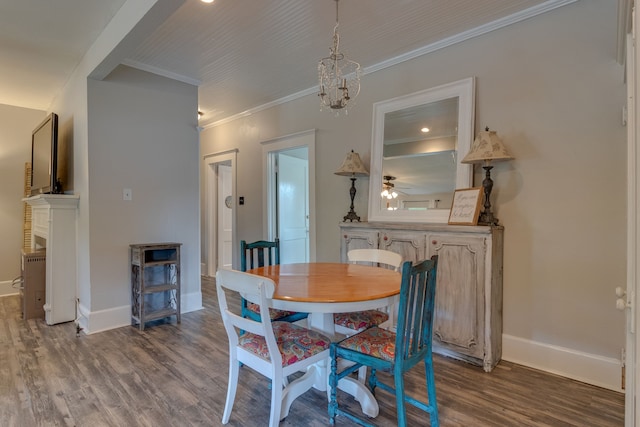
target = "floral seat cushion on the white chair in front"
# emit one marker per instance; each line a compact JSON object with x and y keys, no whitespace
{"x":294,"y":342}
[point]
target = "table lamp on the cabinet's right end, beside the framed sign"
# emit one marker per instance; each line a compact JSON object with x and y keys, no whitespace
{"x":487,"y":147}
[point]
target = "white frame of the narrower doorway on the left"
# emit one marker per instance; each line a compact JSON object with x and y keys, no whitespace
{"x":211,"y":207}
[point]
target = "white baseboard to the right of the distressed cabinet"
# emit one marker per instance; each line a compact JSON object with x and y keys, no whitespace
{"x":588,"y":368}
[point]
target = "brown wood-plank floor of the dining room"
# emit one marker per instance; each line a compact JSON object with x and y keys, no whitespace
{"x":176,"y":375}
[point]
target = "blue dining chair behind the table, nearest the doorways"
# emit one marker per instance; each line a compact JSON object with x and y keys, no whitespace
{"x":259,"y":254}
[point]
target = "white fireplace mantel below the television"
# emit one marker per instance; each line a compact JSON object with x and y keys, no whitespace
{"x":53,"y":226}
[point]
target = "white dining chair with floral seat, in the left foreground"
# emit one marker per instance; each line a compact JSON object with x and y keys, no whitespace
{"x":273,"y":349}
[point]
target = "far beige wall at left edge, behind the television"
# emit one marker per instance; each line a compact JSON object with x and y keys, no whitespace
{"x":16,"y":125}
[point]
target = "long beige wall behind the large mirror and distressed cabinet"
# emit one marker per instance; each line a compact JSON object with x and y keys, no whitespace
{"x":551,"y":88}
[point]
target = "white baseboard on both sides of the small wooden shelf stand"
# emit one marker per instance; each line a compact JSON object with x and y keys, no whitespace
{"x":93,"y":322}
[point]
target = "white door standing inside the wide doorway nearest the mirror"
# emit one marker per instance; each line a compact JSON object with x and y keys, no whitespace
{"x":293,"y":205}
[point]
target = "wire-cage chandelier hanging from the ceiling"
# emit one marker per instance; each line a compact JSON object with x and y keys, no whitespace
{"x":339,"y":77}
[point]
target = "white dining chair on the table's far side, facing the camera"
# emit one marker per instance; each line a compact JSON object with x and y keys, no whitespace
{"x":354,"y":322}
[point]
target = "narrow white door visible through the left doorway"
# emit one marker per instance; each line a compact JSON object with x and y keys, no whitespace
{"x":225,"y":219}
